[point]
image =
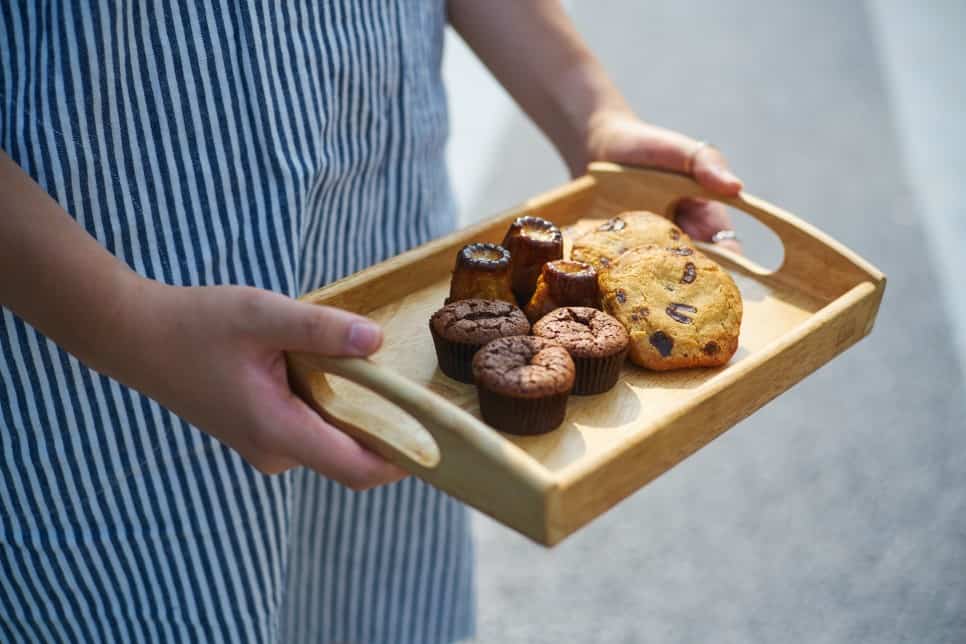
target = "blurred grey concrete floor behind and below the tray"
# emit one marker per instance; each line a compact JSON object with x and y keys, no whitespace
{"x":838,"y":512}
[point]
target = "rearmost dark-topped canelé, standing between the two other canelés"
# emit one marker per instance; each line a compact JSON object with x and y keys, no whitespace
{"x":532,"y":242}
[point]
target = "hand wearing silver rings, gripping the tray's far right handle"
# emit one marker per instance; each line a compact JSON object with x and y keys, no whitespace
{"x":623,"y":138}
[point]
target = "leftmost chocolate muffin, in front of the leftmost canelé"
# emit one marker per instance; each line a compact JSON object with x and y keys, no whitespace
{"x":459,"y":329}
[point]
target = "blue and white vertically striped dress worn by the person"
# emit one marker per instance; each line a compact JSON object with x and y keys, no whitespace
{"x":259,"y":142}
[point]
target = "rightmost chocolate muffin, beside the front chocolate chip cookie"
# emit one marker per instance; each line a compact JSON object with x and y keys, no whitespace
{"x":596,"y":341}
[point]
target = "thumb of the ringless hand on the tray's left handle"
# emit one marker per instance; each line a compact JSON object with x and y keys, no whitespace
{"x":293,"y":325}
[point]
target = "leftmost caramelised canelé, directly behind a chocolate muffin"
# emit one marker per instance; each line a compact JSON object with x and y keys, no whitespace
{"x":482,"y":272}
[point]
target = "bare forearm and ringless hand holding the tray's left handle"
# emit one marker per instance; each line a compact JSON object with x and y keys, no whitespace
{"x":213,"y":355}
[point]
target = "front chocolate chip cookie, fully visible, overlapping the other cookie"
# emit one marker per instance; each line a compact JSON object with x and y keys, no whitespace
{"x":680,"y":308}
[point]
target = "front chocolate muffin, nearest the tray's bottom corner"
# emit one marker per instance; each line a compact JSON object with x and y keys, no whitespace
{"x":523,"y":383}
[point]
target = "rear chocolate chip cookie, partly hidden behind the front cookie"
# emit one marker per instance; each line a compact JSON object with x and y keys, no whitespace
{"x":601,"y":246}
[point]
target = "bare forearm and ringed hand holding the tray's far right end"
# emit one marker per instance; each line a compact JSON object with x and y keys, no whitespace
{"x":533,"y":49}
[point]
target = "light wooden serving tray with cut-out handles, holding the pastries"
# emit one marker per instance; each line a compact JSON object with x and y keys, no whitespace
{"x":820,"y":301}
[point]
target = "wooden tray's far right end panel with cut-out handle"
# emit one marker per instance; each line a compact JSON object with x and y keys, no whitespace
{"x":813,"y":261}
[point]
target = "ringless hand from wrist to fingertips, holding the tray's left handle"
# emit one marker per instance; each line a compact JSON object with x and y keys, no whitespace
{"x":213,"y":355}
